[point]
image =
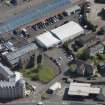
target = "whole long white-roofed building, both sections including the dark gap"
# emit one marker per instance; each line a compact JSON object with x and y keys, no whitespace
{"x":64,"y":33}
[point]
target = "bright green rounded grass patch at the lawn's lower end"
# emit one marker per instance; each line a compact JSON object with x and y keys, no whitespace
{"x":46,"y":74}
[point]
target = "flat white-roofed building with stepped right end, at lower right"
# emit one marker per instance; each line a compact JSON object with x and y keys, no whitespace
{"x":82,"y":89}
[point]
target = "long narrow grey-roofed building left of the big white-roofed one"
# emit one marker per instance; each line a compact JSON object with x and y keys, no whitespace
{"x":22,"y":55}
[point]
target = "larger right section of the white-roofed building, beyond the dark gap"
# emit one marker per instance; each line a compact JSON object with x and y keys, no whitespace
{"x":68,"y":31}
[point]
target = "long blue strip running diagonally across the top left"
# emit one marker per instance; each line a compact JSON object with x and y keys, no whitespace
{"x":32,"y":14}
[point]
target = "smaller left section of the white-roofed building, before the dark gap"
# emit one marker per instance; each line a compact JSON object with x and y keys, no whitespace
{"x":47,"y":40}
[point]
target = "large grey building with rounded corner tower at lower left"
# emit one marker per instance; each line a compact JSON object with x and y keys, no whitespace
{"x":12,"y":84}
